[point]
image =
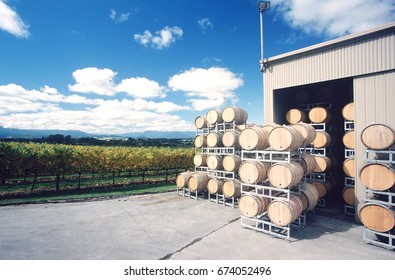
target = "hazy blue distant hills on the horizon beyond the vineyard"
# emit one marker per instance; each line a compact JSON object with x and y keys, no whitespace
{"x":36,"y":133}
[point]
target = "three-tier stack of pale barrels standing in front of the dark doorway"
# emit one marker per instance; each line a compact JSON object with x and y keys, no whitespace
{"x":279,"y":175}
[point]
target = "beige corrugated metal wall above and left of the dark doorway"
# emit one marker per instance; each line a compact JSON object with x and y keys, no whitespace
{"x":348,"y":58}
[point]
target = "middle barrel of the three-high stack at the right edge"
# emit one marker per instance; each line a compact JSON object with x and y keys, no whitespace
{"x":377,"y":176}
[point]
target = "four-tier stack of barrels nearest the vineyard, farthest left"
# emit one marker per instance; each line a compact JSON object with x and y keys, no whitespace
{"x":217,"y":151}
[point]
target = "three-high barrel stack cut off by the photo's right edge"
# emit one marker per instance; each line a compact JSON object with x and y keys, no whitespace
{"x":377,"y":210}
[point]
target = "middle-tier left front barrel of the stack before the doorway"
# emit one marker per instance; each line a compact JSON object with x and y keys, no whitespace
{"x":252,"y":172}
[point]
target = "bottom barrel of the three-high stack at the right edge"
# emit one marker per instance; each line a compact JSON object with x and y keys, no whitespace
{"x":376,"y":216}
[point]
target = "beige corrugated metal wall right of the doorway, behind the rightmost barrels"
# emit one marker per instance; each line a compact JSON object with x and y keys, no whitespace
{"x":374,"y":98}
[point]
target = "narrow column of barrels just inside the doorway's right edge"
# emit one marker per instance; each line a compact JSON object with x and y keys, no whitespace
{"x":349,"y":168}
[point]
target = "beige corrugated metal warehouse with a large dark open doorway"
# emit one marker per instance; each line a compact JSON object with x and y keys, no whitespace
{"x":358,"y":69}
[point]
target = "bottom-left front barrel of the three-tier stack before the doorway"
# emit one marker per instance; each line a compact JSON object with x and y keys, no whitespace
{"x":252,"y":205}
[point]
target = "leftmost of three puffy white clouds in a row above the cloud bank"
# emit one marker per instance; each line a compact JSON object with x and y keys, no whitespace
{"x":94,"y":80}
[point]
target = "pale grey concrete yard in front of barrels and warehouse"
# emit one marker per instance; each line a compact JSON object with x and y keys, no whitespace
{"x":168,"y":226}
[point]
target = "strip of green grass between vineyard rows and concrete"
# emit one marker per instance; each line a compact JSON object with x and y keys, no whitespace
{"x":95,"y":194}
